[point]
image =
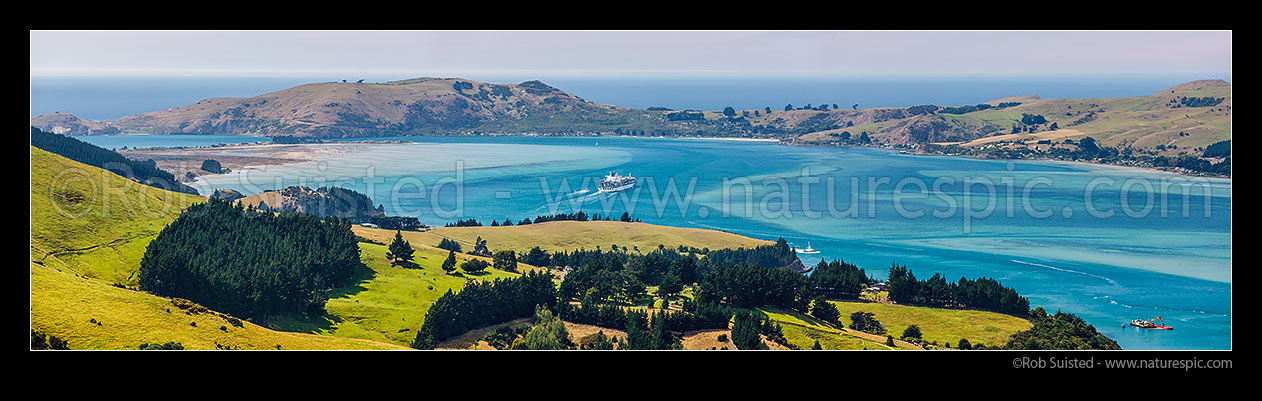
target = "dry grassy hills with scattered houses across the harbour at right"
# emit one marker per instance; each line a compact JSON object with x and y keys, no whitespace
{"x":1176,"y":122}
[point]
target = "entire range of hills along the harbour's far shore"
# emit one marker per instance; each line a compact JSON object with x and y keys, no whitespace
{"x":1177,"y":122}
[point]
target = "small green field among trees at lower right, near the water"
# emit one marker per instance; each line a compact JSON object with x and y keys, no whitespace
{"x":941,"y":326}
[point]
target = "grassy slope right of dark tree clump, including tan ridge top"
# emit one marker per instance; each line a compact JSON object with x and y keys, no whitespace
{"x":389,"y":305}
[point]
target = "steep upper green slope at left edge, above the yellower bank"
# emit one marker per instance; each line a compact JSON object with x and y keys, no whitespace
{"x":93,"y":223}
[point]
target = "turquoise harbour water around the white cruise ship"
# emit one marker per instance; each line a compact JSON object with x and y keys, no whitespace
{"x":1107,"y":270}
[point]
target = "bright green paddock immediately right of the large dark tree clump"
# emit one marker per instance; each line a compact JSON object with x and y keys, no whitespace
{"x":388,"y":303}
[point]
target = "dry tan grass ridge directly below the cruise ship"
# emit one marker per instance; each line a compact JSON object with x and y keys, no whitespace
{"x":569,"y":236}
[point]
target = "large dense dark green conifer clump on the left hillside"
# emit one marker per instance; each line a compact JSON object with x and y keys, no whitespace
{"x":249,"y":263}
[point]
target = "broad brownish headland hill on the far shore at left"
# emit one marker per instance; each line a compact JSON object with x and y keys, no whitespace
{"x":420,"y":107}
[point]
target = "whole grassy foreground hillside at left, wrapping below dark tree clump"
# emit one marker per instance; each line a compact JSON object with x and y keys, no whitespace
{"x":89,"y":231}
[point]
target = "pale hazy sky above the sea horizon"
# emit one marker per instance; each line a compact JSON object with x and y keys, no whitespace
{"x":633,"y":55}
